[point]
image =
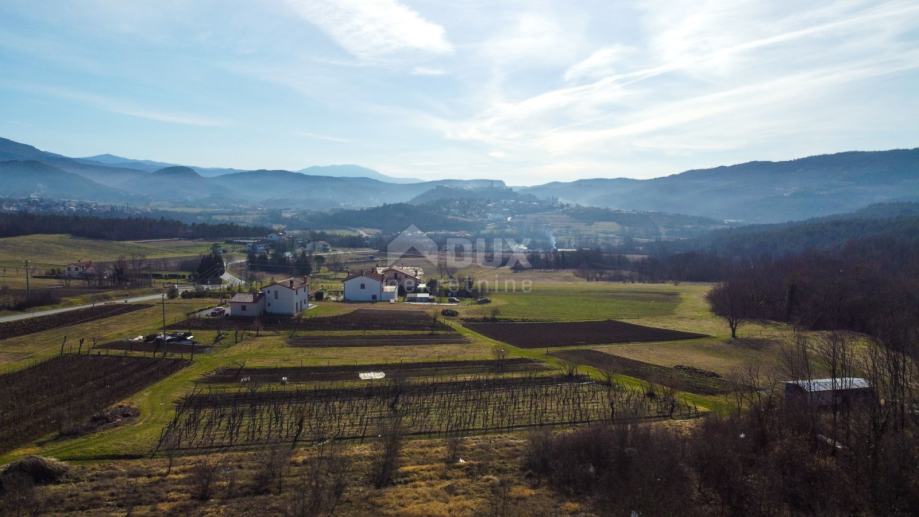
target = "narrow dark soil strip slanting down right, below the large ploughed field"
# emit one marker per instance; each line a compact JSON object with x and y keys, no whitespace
{"x":683,"y":378}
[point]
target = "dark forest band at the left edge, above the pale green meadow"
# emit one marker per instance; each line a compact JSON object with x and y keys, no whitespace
{"x":127,"y":228}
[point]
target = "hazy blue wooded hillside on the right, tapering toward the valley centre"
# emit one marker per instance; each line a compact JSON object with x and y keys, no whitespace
{"x":759,"y":191}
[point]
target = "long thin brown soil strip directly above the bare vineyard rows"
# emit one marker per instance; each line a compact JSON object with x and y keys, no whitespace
{"x":350,"y":372}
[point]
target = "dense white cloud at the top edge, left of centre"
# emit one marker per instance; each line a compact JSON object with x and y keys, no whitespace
{"x":374,"y":29}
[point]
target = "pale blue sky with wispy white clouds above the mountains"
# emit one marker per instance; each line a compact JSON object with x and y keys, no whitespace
{"x":525,"y":91}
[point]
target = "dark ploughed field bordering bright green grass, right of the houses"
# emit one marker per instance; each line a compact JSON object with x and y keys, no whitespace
{"x":548,"y":334}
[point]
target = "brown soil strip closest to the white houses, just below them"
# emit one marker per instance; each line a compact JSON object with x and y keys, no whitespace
{"x":360,"y":319}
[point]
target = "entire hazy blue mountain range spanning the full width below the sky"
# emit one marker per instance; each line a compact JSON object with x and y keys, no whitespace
{"x":760,"y":192}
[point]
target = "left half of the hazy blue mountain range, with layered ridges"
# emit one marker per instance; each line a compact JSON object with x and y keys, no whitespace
{"x":27,"y":171}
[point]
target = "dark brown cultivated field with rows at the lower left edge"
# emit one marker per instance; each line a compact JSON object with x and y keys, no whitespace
{"x":62,"y":394}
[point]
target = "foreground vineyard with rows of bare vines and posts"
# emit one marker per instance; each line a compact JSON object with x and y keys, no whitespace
{"x":218,"y":419}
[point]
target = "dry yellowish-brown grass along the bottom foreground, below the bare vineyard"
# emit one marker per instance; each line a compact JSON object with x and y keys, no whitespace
{"x":423,"y":485}
